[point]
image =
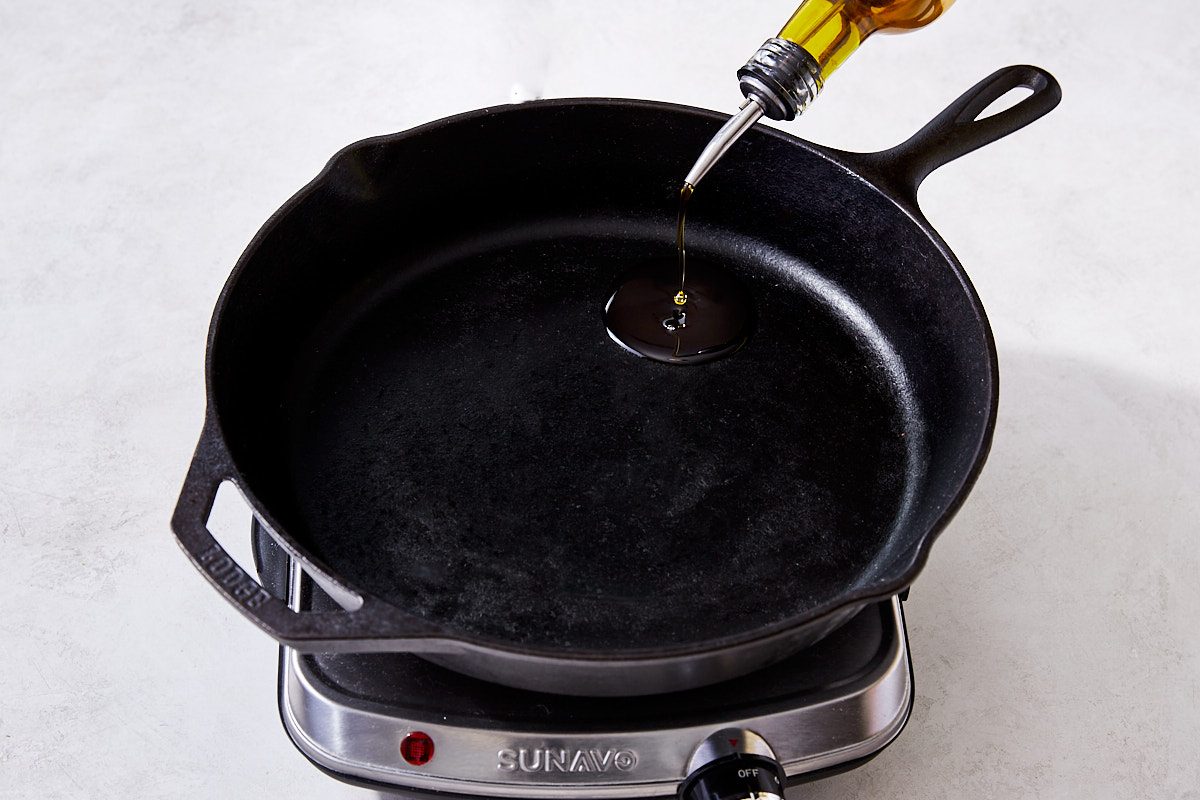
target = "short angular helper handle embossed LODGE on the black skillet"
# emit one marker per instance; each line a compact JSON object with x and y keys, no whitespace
{"x":369,"y":624}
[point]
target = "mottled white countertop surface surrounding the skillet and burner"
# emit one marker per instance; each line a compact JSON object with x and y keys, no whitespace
{"x":143,"y":143}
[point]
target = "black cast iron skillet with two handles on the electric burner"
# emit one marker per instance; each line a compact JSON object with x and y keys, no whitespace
{"x":410,"y":381}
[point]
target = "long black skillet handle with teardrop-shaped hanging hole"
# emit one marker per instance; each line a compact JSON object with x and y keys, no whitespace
{"x":958,"y":130}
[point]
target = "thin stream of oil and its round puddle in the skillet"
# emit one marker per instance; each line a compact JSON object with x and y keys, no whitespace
{"x":680,"y":311}
